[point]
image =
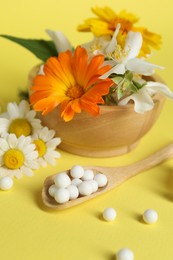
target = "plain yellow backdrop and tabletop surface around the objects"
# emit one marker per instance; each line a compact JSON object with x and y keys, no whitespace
{"x":28,"y":230}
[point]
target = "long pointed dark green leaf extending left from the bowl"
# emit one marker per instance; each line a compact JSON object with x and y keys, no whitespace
{"x":40,"y":48}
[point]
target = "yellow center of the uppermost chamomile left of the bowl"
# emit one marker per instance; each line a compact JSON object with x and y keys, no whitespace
{"x":20,"y":126}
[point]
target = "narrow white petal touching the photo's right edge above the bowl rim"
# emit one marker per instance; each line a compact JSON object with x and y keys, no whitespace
{"x":158,"y":87}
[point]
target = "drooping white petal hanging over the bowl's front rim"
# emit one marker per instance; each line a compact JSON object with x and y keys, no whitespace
{"x":142,"y":101}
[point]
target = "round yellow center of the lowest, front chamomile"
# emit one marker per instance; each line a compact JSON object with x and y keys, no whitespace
{"x":13,"y":159}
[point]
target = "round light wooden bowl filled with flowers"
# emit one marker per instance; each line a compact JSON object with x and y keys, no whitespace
{"x":116,"y":131}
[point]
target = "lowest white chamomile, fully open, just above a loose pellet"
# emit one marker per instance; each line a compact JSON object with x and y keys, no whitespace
{"x":17,"y":156}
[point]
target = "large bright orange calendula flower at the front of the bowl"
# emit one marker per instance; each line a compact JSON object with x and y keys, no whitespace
{"x":72,"y":82}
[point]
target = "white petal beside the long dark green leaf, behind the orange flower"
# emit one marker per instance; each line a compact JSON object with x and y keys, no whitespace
{"x":60,"y":41}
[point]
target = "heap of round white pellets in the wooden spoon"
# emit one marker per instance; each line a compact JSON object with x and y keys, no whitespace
{"x":79,"y":182}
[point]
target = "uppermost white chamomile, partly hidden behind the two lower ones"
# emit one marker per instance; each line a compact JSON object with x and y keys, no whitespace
{"x":19,"y":120}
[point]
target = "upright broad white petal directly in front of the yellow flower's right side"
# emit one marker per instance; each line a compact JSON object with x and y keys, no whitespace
{"x":133,"y":44}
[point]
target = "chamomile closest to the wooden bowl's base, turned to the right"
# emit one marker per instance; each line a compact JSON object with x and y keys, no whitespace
{"x":45,"y":145}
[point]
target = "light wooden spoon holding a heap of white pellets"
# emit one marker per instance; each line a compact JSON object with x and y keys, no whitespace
{"x":115,"y":176}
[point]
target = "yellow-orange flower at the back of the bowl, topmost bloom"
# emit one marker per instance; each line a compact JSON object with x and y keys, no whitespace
{"x":106,"y":23}
